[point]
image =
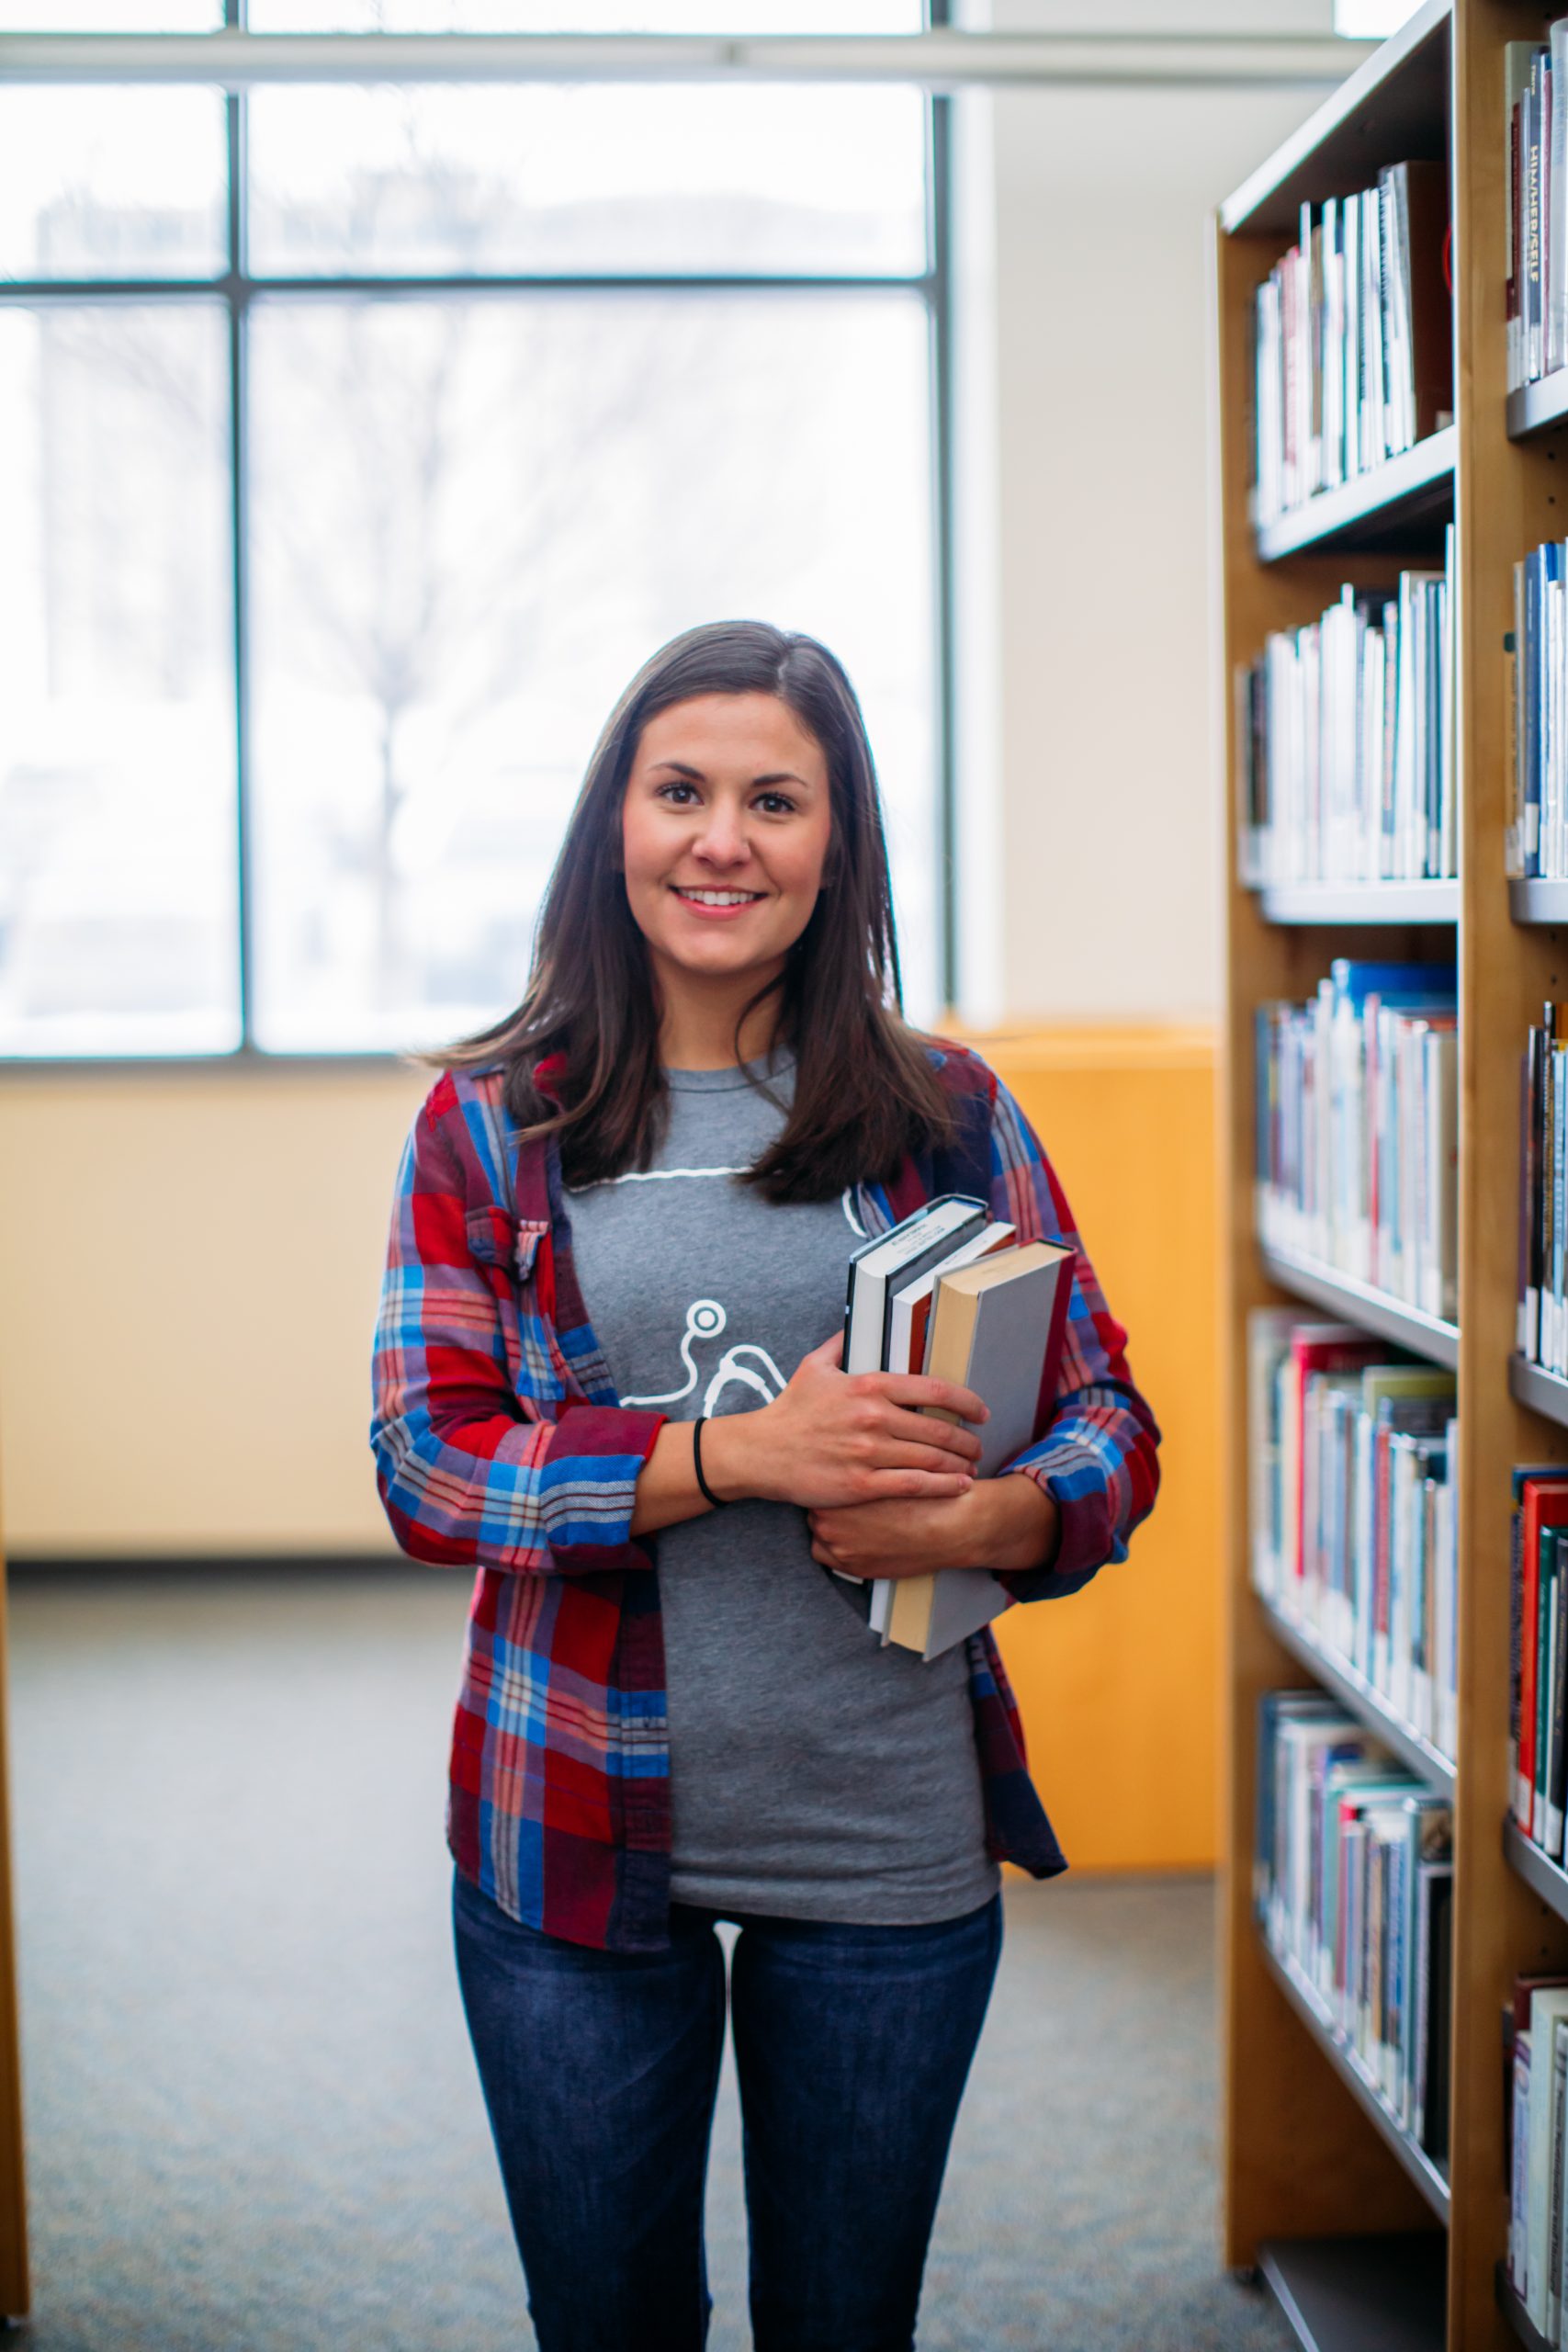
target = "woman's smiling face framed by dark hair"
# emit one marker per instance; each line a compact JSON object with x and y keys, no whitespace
{"x":725,"y":834}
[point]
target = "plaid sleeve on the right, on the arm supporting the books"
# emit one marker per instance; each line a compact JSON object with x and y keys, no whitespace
{"x":1099,"y":1452}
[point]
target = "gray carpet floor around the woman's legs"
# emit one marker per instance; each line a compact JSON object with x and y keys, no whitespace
{"x":253,"y":2113}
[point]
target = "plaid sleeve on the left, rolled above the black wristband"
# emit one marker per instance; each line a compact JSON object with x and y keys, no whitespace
{"x":467,"y":1478}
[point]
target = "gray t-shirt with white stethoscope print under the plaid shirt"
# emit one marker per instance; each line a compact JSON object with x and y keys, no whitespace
{"x":812,"y":1772}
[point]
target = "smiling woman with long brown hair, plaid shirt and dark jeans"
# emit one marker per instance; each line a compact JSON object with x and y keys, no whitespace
{"x":612,"y":1314}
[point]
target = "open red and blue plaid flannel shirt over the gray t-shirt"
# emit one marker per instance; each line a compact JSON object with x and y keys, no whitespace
{"x":502,"y":1448}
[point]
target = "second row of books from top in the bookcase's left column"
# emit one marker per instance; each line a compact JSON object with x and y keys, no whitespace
{"x":1346,"y":742}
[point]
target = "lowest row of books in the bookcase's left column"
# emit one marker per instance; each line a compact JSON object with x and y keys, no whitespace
{"x":1353,"y":1880}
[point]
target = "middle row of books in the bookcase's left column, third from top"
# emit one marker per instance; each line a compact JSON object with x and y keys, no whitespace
{"x":1358,"y":1130}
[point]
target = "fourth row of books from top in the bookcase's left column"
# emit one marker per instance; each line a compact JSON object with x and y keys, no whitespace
{"x":1353,"y":1509}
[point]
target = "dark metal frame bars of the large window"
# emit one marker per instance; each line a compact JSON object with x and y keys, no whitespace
{"x":236,"y":290}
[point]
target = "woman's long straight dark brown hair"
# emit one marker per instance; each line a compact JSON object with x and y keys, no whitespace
{"x":866,"y":1093}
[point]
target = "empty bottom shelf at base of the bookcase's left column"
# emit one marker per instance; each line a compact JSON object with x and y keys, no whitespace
{"x":1360,"y":2294}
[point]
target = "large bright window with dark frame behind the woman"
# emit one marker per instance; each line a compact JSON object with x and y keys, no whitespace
{"x":359,"y":443}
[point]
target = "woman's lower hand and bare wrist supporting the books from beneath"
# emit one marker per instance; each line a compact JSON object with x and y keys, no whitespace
{"x":1003,"y":1523}
